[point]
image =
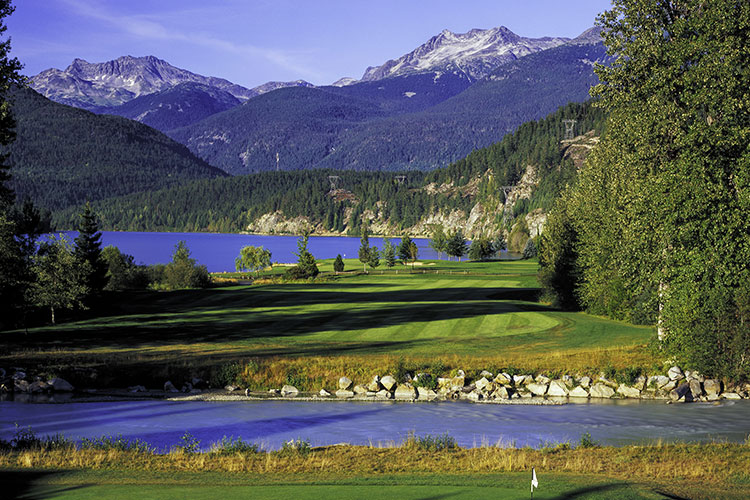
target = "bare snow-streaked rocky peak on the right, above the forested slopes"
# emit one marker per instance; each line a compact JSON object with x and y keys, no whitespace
{"x":473,"y":54}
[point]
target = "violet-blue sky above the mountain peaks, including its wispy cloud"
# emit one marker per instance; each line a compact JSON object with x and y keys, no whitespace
{"x":250,"y":42}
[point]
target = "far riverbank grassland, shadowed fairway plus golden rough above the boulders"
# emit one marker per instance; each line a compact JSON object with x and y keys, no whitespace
{"x":445,"y":315}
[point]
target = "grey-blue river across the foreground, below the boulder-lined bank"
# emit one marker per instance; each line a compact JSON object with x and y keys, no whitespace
{"x":270,"y":423}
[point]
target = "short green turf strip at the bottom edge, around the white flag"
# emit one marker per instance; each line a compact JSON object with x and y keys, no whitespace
{"x":84,"y":485}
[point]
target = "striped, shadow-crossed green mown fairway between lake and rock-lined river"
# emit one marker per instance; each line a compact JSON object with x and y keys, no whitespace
{"x":470,"y":309}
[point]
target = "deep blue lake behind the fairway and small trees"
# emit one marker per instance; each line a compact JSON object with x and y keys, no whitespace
{"x":218,"y":250}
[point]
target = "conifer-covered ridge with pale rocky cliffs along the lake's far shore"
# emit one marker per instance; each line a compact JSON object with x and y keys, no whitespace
{"x":233,"y":204}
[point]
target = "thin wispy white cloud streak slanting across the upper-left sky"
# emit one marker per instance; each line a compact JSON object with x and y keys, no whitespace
{"x":146,"y":27}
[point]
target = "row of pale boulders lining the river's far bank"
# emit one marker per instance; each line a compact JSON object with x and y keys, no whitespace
{"x":676,"y":385}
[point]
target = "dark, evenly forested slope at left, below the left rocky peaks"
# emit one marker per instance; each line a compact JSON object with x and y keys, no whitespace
{"x":64,"y":156}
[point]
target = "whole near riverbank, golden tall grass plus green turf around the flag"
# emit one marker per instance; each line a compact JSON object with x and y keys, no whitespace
{"x":669,"y":471}
